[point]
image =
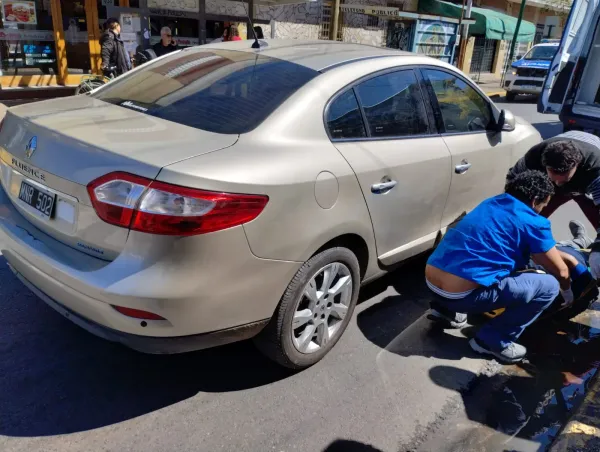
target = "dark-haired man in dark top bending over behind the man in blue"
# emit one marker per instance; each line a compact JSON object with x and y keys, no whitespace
{"x":572,"y":161}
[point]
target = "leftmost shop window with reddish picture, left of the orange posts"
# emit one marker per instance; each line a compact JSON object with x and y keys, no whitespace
{"x":26,"y":39}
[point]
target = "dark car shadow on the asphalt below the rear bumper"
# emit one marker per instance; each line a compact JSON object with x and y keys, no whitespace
{"x":58,"y":379}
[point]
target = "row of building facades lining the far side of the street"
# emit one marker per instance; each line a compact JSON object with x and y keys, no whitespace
{"x":57,"y":42}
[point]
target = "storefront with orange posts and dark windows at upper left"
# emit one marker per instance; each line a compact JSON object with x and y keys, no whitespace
{"x":47,"y":43}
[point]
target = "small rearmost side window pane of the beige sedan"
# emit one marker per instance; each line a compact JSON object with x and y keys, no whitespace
{"x":344,"y":118}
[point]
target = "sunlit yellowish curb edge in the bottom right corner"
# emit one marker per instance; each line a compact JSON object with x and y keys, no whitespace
{"x":582,"y":432}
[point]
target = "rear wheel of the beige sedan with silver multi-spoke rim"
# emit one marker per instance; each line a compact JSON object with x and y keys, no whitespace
{"x":281,"y":339}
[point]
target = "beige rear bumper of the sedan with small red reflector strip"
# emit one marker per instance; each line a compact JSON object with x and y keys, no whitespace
{"x":198,"y":284}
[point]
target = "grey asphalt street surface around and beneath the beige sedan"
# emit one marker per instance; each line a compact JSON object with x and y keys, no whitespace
{"x":63,"y":390}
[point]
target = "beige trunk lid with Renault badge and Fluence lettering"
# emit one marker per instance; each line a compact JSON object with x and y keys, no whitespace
{"x":60,"y":146}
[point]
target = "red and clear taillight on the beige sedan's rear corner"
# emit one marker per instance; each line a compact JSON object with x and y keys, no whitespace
{"x":155,"y":207}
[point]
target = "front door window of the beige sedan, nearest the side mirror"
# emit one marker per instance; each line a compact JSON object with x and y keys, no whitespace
{"x":462,"y":108}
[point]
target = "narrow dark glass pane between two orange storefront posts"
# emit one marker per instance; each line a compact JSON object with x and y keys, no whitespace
{"x":76,"y":36}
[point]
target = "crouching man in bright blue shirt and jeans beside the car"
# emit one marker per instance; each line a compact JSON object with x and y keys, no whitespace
{"x":474,"y":269}
